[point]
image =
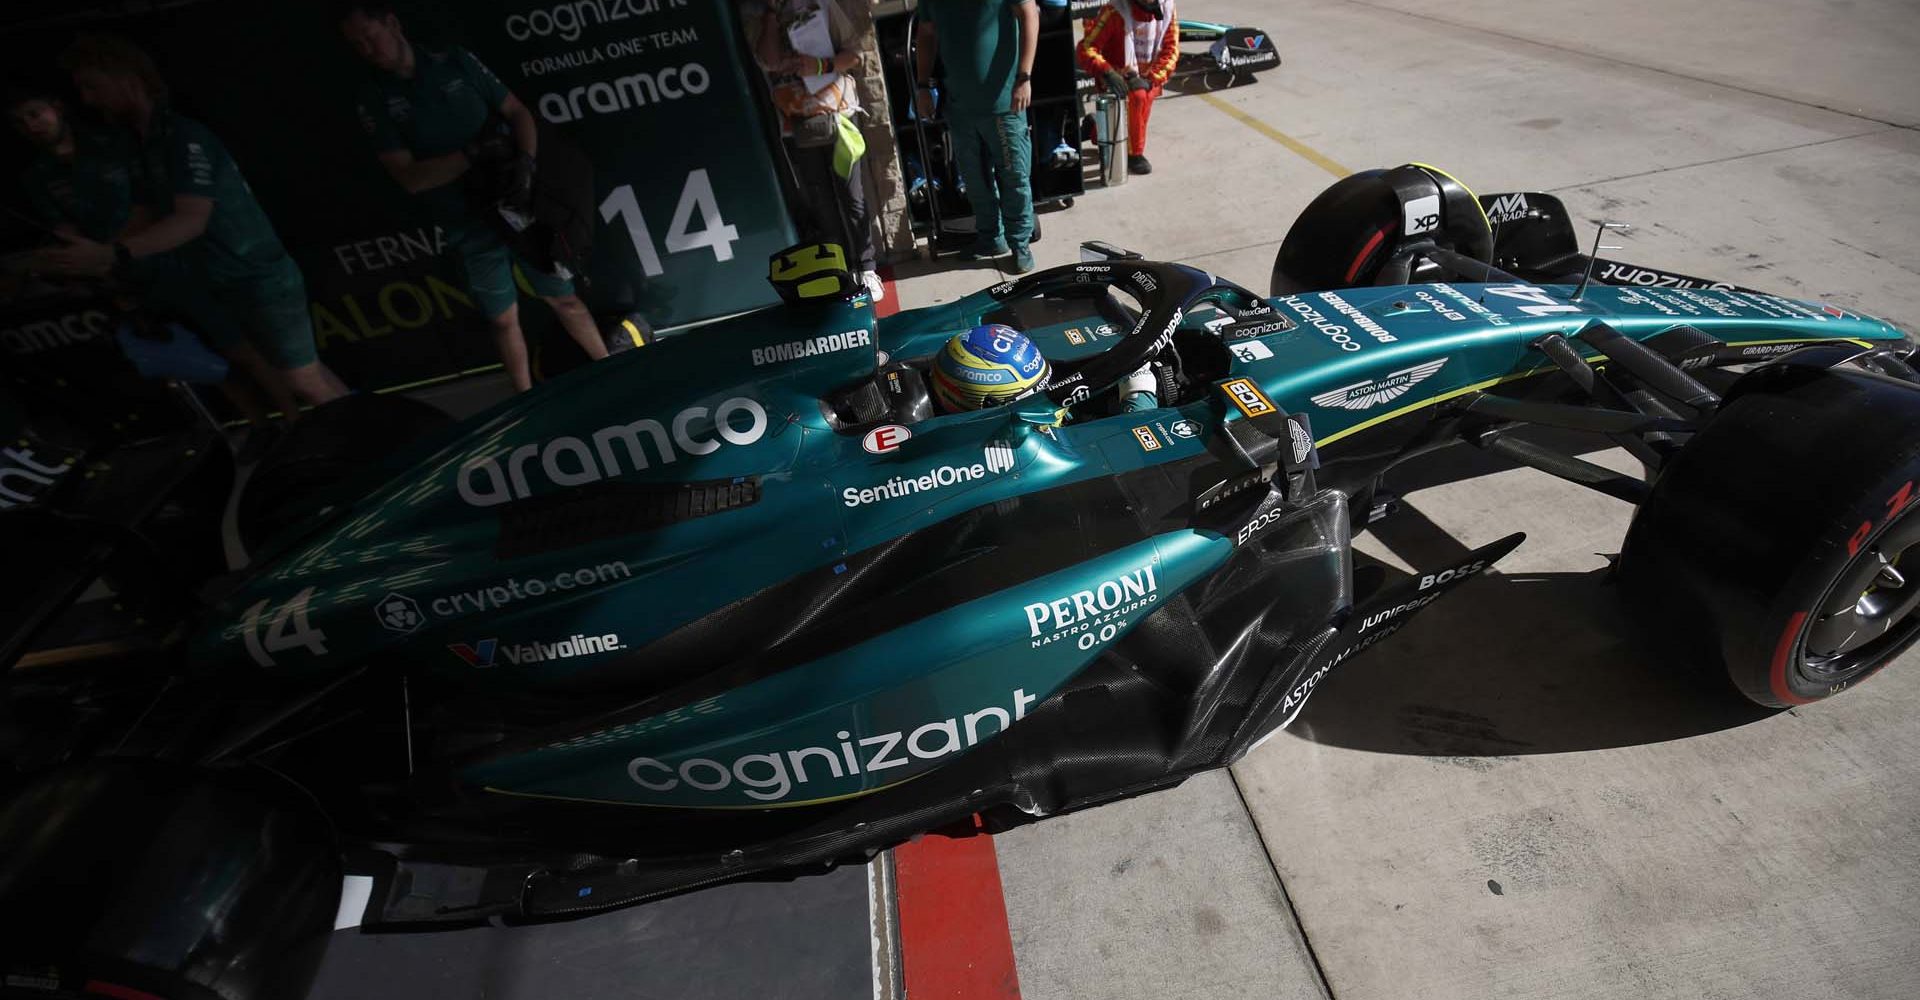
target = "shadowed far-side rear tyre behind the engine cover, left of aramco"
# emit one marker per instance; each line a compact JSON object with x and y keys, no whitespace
{"x":329,"y":448}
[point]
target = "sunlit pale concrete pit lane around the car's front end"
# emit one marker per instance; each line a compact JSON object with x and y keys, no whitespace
{"x":1520,"y":798}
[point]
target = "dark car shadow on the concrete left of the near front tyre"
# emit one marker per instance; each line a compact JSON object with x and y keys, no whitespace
{"x":1516,"y":665}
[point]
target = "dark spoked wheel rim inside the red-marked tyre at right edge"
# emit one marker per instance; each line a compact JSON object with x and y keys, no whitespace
{"x":1871,"y":611}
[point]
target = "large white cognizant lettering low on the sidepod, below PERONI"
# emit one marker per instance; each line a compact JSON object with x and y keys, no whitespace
{"x":773,"y":776}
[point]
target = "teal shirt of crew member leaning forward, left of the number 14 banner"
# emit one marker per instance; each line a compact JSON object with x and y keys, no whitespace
{"x":437,"y":112}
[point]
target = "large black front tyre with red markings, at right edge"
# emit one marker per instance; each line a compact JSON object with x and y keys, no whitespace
{"x":1775,"y":538}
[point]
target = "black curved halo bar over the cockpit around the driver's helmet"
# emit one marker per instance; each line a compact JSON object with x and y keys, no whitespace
{"x":1166,"y":291}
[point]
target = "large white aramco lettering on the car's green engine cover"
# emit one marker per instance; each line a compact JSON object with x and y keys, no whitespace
{"x":569,"y":462}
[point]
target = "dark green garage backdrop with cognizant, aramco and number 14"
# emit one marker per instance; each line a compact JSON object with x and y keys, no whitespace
{"x":654,"y":91}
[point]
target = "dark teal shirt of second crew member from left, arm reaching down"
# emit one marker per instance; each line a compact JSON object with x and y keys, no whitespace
{"x":183,"y":156}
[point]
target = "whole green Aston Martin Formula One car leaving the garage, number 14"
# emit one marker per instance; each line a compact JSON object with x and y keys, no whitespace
{"x":746,"y":606}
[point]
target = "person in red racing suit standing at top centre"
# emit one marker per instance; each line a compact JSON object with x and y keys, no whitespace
{"x":1132,"y":47}
